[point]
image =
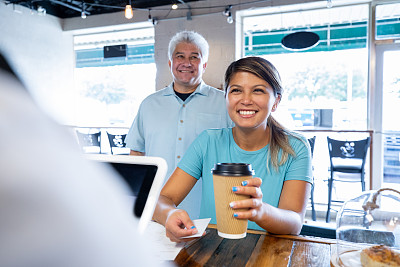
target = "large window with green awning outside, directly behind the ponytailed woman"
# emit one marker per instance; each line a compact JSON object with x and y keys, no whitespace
{"x":325,"y":86}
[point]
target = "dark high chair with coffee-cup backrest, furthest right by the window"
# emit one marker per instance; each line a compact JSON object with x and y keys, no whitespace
{"x":346,"y":157}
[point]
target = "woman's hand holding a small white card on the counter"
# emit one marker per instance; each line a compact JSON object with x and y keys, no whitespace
{"x":179,"y":225}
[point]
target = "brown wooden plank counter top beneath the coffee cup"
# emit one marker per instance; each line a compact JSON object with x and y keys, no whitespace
{"x":256,"y":249}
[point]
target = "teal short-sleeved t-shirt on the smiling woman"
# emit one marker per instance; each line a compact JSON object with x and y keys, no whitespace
{"x":218,"y":146}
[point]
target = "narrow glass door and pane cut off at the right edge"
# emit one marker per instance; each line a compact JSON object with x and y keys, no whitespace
{"x":387,"y":33}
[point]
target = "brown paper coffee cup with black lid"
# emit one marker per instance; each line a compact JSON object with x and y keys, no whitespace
{"x":225,"y":177}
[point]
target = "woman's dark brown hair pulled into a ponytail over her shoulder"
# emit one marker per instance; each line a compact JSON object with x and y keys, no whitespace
{"x":264,"y":69}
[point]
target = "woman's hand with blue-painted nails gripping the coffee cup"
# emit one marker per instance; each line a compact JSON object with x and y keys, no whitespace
{"x":254,"y":204}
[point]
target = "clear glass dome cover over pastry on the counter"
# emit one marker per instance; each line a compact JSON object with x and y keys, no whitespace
{"x":373,"y":218}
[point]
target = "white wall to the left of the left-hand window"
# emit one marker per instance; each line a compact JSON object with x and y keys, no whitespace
{"x":42,"y":54}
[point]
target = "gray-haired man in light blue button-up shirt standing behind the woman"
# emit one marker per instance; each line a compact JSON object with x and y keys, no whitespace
{"x":169,"y":120}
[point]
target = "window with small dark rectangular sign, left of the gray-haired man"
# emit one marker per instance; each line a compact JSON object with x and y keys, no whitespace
{"x":109,"y":90}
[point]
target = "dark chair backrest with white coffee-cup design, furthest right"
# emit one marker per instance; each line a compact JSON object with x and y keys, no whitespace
{"x":348,"y":149}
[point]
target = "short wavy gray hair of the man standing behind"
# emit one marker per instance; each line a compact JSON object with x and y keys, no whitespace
{"x":192,"y":38}
